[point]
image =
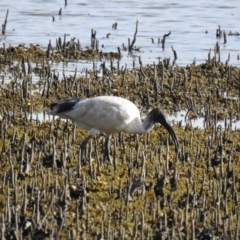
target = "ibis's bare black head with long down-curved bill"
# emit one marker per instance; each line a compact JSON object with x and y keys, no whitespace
{"x":158,"y":116}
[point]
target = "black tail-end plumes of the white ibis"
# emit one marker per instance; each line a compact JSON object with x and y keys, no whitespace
{"x":64,"y":105}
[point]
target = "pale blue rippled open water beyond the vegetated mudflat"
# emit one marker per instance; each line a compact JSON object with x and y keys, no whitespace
{"x":192,"y":24}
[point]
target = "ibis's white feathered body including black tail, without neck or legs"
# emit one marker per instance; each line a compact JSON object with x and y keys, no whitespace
{"x":107,"y":114}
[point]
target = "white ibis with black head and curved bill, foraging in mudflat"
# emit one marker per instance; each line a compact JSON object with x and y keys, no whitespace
{"x":109,"y":114}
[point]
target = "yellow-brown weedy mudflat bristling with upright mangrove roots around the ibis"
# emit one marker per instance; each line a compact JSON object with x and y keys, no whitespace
{"x":149,"y":192}
